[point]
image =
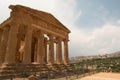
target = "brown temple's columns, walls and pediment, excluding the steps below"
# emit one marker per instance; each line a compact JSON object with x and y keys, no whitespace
{"x":21,"y":25}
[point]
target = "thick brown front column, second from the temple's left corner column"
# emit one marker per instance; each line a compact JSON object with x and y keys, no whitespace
{"x":27,"y":48}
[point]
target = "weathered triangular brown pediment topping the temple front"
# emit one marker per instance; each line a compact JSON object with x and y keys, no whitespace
{"x":44,"y":16}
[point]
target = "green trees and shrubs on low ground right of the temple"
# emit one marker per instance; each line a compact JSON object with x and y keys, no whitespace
{"x":111,"y":64}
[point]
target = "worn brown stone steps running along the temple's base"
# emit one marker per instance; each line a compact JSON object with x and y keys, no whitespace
{"x":25,"y":70}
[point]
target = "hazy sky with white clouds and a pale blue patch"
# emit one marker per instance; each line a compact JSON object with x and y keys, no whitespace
{"x":94,"y":24}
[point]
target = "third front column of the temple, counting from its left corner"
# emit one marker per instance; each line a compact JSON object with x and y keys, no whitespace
{"x":40,"y":48}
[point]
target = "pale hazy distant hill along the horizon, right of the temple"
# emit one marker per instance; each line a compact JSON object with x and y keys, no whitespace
{"x":81,"y":58}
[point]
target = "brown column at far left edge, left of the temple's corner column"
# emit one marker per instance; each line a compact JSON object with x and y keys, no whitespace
{"x":3,"y":45}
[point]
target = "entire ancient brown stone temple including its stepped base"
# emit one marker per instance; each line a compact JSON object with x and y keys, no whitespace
{"x":32,"y":41}
